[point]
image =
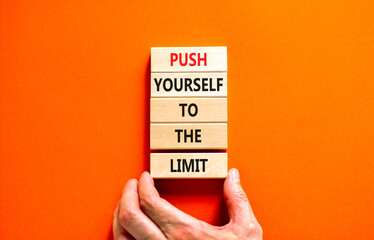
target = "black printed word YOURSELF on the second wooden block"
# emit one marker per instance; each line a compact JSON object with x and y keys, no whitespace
{"x":188,"y":84}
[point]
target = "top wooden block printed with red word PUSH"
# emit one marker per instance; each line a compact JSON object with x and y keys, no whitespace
{"x":189,"y":59}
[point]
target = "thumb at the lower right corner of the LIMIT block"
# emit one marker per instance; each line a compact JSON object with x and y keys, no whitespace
{"x":236,"y":200}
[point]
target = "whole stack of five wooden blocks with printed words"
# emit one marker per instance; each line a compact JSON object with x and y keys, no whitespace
{"x":188,"y":132}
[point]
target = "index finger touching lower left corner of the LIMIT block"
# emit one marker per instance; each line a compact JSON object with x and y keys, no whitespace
{"x":169,"y":218}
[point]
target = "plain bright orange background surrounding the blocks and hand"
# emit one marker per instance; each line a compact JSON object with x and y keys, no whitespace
{"x":74,"y":99}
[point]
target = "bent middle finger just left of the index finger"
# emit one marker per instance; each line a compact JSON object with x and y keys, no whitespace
{"x":132,"y":219}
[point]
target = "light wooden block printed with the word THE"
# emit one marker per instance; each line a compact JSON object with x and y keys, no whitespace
{"x":188,"y":136}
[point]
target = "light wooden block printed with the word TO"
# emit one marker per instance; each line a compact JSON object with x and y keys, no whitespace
{"x":164,"y":110}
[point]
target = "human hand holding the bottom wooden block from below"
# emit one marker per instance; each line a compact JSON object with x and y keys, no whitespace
{"x":142,"y":214}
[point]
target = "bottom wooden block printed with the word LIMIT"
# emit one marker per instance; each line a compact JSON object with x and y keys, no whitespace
{"x":189,"y":165}
